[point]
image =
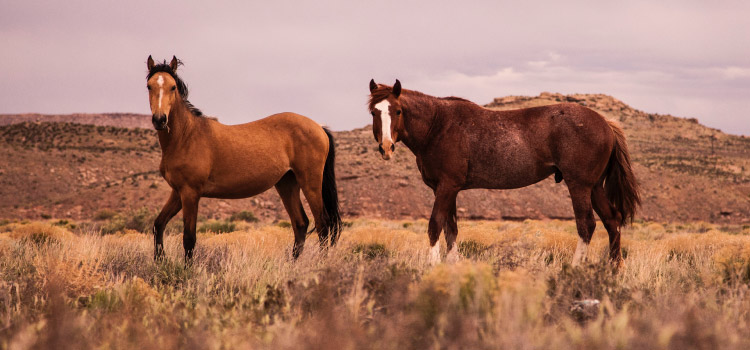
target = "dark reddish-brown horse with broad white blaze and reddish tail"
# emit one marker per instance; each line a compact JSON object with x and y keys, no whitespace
{"x":460,"y":145}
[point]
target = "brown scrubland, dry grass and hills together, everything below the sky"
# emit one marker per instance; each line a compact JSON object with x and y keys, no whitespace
{"x":77,"y":268}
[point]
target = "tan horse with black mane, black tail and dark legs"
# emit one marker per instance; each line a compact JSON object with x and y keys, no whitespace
{"x":204,"y":158}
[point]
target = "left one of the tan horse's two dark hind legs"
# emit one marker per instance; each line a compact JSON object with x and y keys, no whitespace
{"x":288,"y":189}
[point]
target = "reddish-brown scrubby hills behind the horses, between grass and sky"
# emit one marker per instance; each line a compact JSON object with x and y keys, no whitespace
{"x":689,"y":172}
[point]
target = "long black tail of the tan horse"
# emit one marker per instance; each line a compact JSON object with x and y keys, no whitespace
{"x":330,"y":193}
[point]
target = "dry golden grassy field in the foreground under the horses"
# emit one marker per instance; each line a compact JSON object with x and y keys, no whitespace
{"x":682,"y":287}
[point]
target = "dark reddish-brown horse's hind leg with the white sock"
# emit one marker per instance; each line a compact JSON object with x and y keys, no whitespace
{"x":585,"y":223}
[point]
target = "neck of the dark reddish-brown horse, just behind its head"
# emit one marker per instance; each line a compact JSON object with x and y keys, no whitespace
{"x":420,"y":115}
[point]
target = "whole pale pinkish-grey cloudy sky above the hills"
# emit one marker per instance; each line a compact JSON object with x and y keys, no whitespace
{"x":245,"y":60}
